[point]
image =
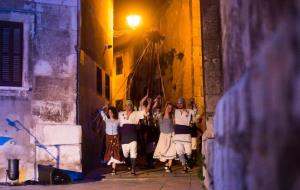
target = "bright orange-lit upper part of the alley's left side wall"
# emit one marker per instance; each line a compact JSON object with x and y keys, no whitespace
{"x":97,"y":31}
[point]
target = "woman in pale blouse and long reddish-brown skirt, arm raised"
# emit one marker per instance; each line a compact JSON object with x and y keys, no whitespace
{"x":113,"y":153}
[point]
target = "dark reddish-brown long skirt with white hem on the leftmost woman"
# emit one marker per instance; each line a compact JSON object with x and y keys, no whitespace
{"x":113,"y":150}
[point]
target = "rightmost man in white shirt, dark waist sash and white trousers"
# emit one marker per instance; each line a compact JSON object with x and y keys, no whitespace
{"x":182,"y":137}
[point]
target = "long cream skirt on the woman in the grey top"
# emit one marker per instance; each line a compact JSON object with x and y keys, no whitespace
{"x":165,"y":149}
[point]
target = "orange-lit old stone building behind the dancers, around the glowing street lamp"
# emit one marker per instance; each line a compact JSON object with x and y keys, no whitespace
{"x":180,"y":50}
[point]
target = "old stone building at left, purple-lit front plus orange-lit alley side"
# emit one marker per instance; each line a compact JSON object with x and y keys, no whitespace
{"x":46,"y":97}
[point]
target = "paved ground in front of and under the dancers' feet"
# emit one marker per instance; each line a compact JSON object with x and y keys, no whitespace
{"x":154,"y":179}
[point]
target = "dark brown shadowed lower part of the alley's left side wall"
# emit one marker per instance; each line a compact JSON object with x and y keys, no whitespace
{"x":90,"y":100}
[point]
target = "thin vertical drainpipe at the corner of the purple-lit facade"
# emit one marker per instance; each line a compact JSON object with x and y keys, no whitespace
{"x":78,"y":61}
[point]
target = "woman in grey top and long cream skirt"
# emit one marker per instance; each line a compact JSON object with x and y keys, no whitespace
{"x":165,"y":150}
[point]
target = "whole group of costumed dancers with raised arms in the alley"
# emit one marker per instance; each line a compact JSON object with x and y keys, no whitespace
{"x":163,"y":134}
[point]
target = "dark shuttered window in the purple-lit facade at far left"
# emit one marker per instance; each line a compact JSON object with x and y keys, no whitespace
{"x":11,"y":53}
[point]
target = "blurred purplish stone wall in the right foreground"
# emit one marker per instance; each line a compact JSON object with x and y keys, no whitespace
{"x":257,"y":120}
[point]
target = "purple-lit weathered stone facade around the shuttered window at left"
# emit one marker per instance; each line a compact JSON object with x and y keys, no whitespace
{"x":46,"y":102}
